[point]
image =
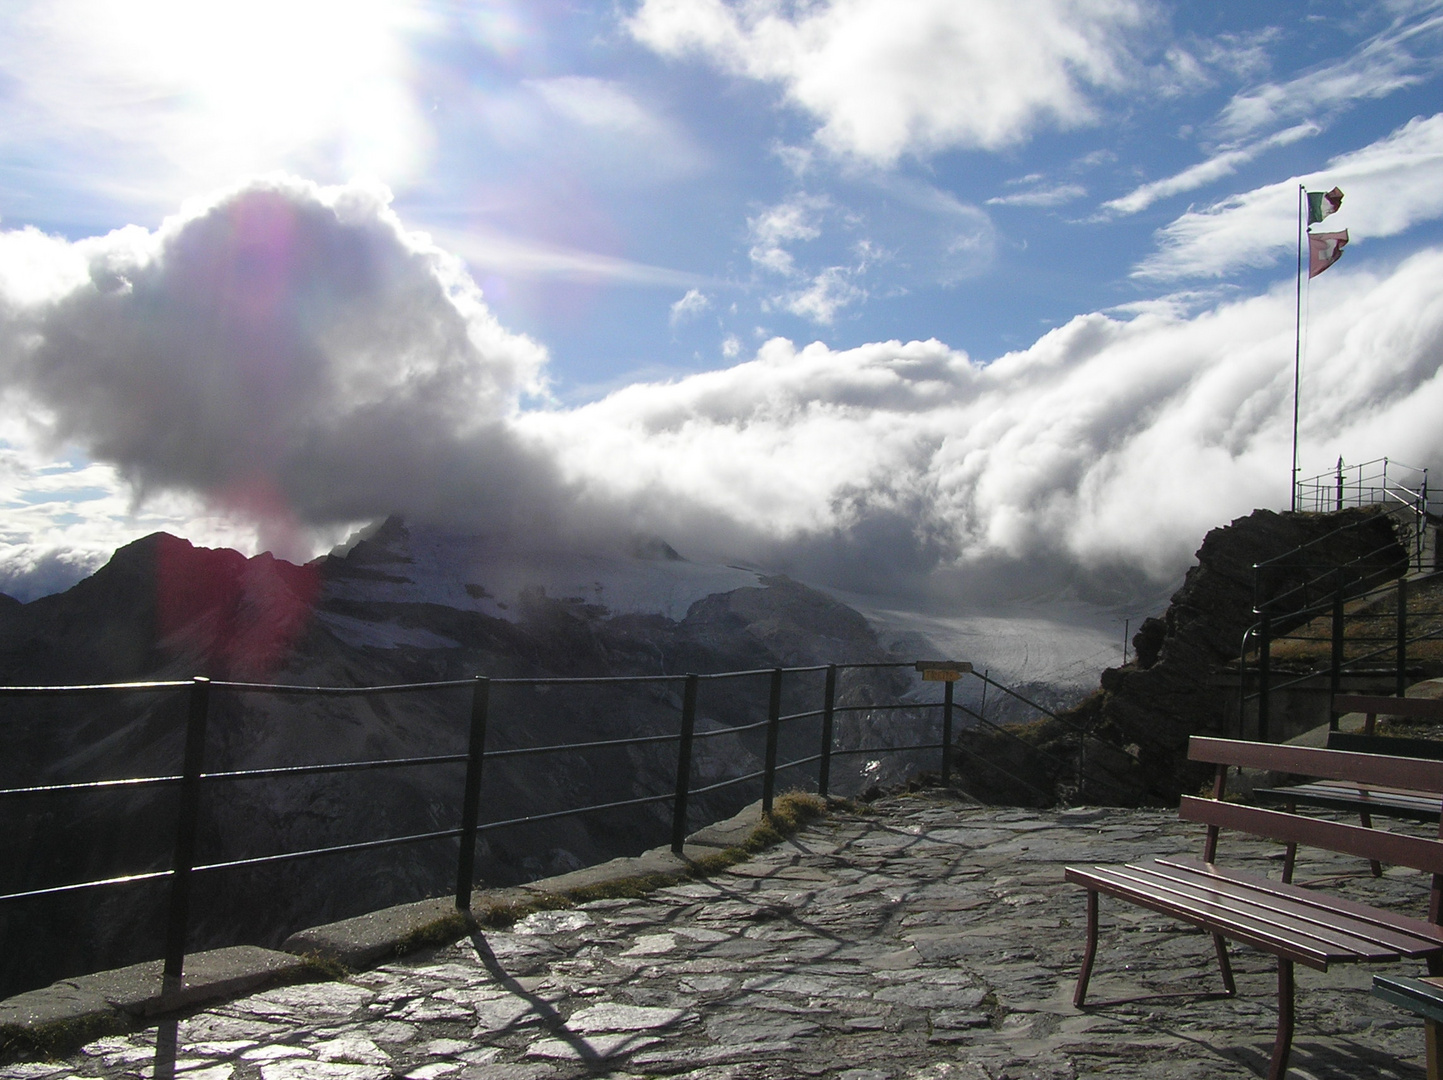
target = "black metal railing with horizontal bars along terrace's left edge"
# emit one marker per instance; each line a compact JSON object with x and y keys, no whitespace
{"x":194,"y":779}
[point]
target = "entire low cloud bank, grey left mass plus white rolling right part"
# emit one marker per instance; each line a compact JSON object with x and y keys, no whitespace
{"x":294,"y":356}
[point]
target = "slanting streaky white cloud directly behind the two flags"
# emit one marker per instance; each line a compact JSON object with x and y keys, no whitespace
{"x":1390,"y":187}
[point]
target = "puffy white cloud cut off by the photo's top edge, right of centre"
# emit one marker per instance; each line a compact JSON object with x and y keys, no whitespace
{"x":888,"y":80}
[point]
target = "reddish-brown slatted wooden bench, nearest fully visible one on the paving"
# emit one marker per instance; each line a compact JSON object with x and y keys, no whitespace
{"x":1297,"y":925}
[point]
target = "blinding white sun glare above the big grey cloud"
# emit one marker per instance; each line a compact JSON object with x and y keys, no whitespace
{"x":233,"y":87}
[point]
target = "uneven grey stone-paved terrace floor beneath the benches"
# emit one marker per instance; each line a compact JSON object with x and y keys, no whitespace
{"x":923,"y":939}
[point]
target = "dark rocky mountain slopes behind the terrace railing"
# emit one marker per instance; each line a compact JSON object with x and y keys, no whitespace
{"x":400,"y":606}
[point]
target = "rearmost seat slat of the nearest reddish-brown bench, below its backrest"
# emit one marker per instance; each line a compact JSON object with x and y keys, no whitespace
{"x":1307,"y":913}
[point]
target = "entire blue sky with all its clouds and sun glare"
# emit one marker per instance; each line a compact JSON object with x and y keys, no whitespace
{"x":966,"y":304}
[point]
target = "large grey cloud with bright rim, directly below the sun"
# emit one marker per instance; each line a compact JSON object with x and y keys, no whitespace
{"x":286,"y":352}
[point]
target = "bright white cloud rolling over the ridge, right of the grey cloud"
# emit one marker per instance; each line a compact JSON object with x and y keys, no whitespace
{"x":1108,"y":447}
